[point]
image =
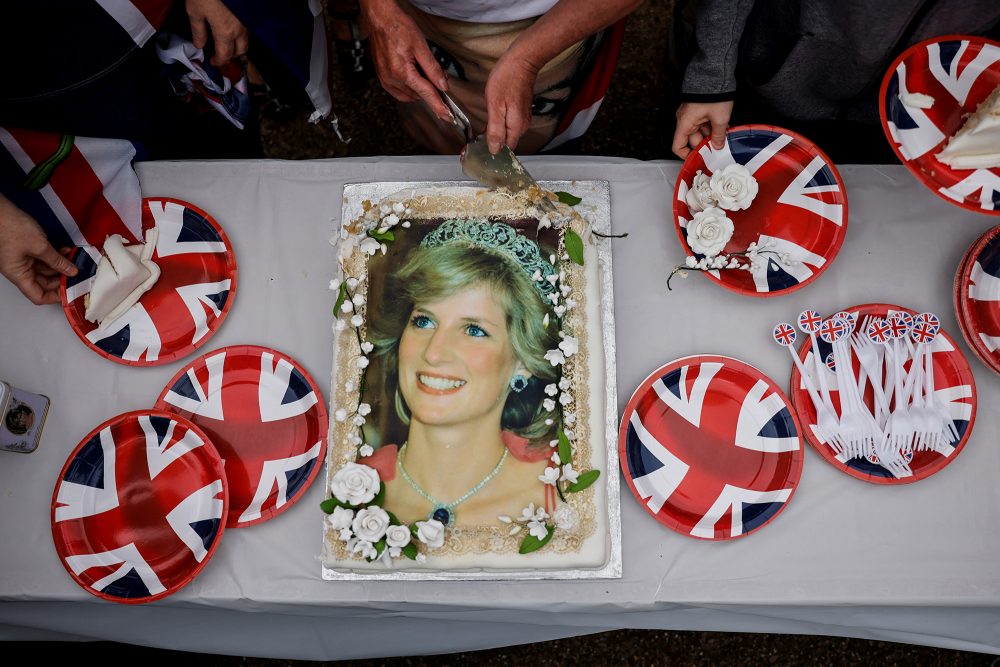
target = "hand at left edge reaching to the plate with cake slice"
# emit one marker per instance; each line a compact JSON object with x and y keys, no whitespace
{"x":27,"y":259}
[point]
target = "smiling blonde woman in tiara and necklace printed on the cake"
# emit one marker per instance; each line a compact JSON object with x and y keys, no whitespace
{"x":460,"y":334}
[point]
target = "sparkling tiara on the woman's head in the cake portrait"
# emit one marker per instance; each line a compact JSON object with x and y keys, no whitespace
{"x":498,"y":238}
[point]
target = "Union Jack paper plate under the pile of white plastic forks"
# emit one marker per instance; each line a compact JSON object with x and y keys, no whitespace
{"x":954,"y":388}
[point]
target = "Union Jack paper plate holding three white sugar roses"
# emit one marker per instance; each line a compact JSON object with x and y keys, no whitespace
{"x":799,"y":213}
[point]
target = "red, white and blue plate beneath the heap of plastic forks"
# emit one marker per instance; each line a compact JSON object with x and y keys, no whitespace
{"x":954,"y":388}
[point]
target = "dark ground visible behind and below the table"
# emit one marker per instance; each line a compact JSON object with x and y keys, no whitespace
{"x":631,"y":124}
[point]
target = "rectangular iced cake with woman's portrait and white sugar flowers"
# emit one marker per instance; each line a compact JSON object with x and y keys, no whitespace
{"x":473,"y":433}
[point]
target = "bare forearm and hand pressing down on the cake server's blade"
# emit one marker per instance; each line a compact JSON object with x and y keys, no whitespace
{"x":510,"y":86}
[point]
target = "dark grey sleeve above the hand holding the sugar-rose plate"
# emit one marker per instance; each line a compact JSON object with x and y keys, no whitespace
{"x":718,"y":29}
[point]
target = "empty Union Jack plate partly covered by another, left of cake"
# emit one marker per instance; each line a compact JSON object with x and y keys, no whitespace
{"x":265,"y":415}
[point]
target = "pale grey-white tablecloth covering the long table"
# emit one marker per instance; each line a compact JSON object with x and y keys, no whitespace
{"x":915,"y":563}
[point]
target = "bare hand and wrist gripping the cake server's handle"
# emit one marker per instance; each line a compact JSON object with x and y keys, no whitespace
{"x":400,"y":52}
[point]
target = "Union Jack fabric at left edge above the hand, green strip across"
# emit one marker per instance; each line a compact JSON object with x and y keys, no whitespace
{"x":80,"y":189}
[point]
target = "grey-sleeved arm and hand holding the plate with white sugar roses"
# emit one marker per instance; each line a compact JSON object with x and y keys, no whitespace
{"x":709,"y":84}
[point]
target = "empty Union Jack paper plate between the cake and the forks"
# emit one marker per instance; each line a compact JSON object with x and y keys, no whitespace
{"x":710,"y":447}
